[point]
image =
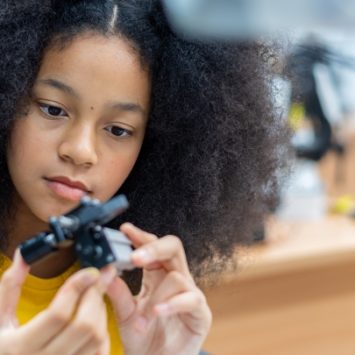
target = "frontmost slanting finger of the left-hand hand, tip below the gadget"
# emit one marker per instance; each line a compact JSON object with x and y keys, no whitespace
{"x":51,"y":321}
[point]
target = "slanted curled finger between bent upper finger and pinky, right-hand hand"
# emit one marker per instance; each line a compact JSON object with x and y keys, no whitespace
{"x":173,"y":284}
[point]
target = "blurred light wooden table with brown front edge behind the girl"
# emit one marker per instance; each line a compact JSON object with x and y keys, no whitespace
{"x":292,"y":295}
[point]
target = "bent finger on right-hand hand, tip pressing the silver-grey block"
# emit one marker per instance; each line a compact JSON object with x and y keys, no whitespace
{"x":168,"y":251}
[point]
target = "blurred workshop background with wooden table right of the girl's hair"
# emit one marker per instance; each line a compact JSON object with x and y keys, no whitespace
{"x":293,"y":292}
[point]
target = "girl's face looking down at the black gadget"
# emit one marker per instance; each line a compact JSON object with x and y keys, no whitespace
{"x":84,"y":128}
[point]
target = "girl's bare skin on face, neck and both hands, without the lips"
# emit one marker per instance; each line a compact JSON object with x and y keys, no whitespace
{"x":170,"y":315}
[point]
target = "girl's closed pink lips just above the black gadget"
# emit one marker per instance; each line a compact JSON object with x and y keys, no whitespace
{"x":66,"y":188}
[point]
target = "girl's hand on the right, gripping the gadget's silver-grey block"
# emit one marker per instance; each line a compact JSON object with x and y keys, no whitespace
{"x":170,"y":315}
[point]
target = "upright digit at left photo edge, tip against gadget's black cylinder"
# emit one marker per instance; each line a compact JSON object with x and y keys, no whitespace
{"x":10,"y":288}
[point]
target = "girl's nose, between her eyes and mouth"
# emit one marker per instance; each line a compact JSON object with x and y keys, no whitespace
{"x":78,"y":146}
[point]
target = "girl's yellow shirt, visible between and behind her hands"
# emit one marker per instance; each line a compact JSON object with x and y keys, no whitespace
{"x":37,"y":294}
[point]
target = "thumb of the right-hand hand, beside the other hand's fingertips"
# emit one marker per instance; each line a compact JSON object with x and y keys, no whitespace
{"x":122,"y":299}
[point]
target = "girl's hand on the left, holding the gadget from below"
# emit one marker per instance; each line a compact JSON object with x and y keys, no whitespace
{"x":74,"y":322}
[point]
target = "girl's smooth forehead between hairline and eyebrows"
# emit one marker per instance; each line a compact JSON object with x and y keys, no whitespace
{"x":98,"y":66}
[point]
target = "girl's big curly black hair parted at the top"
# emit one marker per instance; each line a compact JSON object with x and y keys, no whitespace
{"x":210,"y":163}
